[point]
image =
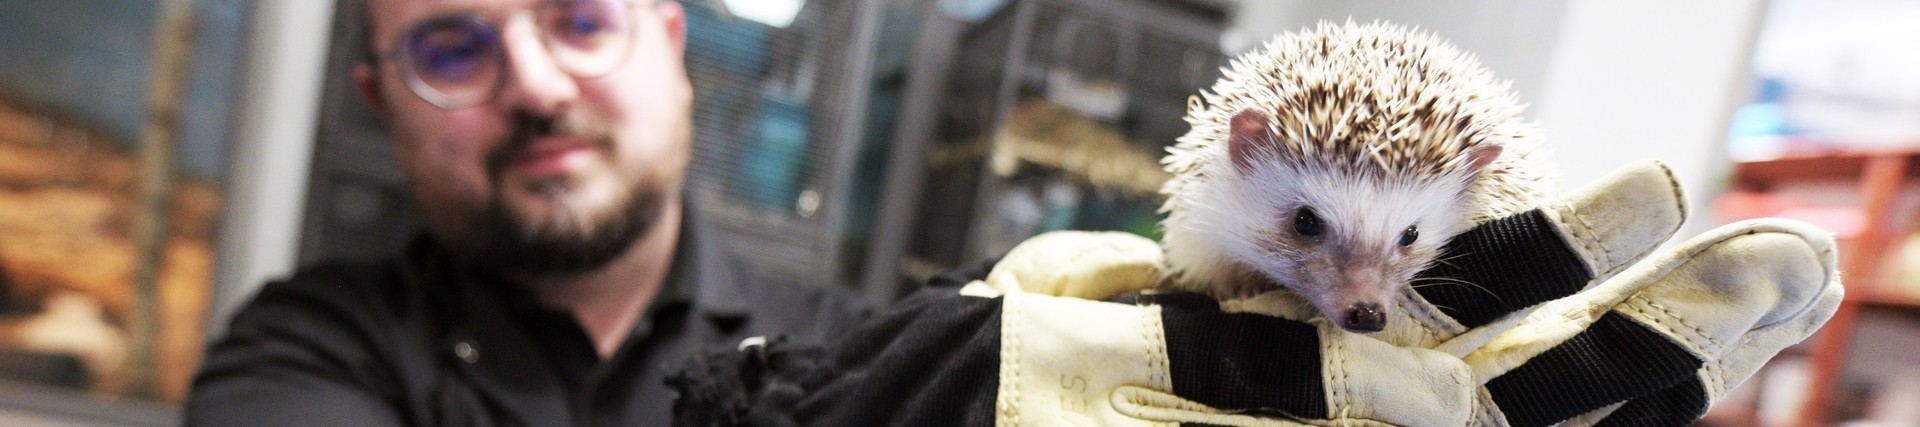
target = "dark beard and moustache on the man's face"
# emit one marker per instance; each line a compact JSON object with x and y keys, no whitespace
{"x":560,"y":247}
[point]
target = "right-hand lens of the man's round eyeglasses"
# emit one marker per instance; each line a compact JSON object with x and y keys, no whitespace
{"x":588,"y":38}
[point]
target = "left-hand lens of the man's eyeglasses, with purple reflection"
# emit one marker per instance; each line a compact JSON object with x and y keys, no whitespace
{"x":454,"y":63}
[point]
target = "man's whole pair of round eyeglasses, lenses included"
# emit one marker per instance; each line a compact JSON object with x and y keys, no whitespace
{"x":460,"y":61}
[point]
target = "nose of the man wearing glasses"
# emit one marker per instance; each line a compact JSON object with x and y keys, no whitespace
{"x":537,"y":82}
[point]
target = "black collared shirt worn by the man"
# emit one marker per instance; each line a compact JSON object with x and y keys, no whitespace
{"x":427,"y":341}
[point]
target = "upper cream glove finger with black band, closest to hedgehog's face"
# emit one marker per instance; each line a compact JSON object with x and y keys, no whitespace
{"x":1543,"y":255}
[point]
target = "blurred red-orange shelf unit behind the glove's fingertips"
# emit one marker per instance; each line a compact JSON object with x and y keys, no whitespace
{"x":1881,"y":178}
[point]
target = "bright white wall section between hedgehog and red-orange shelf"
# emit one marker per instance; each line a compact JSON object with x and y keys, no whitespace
{"x":1637,"y":80}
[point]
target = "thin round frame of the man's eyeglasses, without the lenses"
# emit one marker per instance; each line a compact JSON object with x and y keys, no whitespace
{"x":402,"y":57}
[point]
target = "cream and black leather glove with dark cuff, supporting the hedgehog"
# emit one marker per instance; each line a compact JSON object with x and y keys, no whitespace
{"x":1550,"y":316}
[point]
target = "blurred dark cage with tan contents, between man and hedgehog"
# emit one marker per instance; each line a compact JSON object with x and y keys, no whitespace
{"x":1055,"y":116}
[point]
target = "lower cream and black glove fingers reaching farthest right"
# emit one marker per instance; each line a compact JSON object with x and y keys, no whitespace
{"x":1721,"y":303}
